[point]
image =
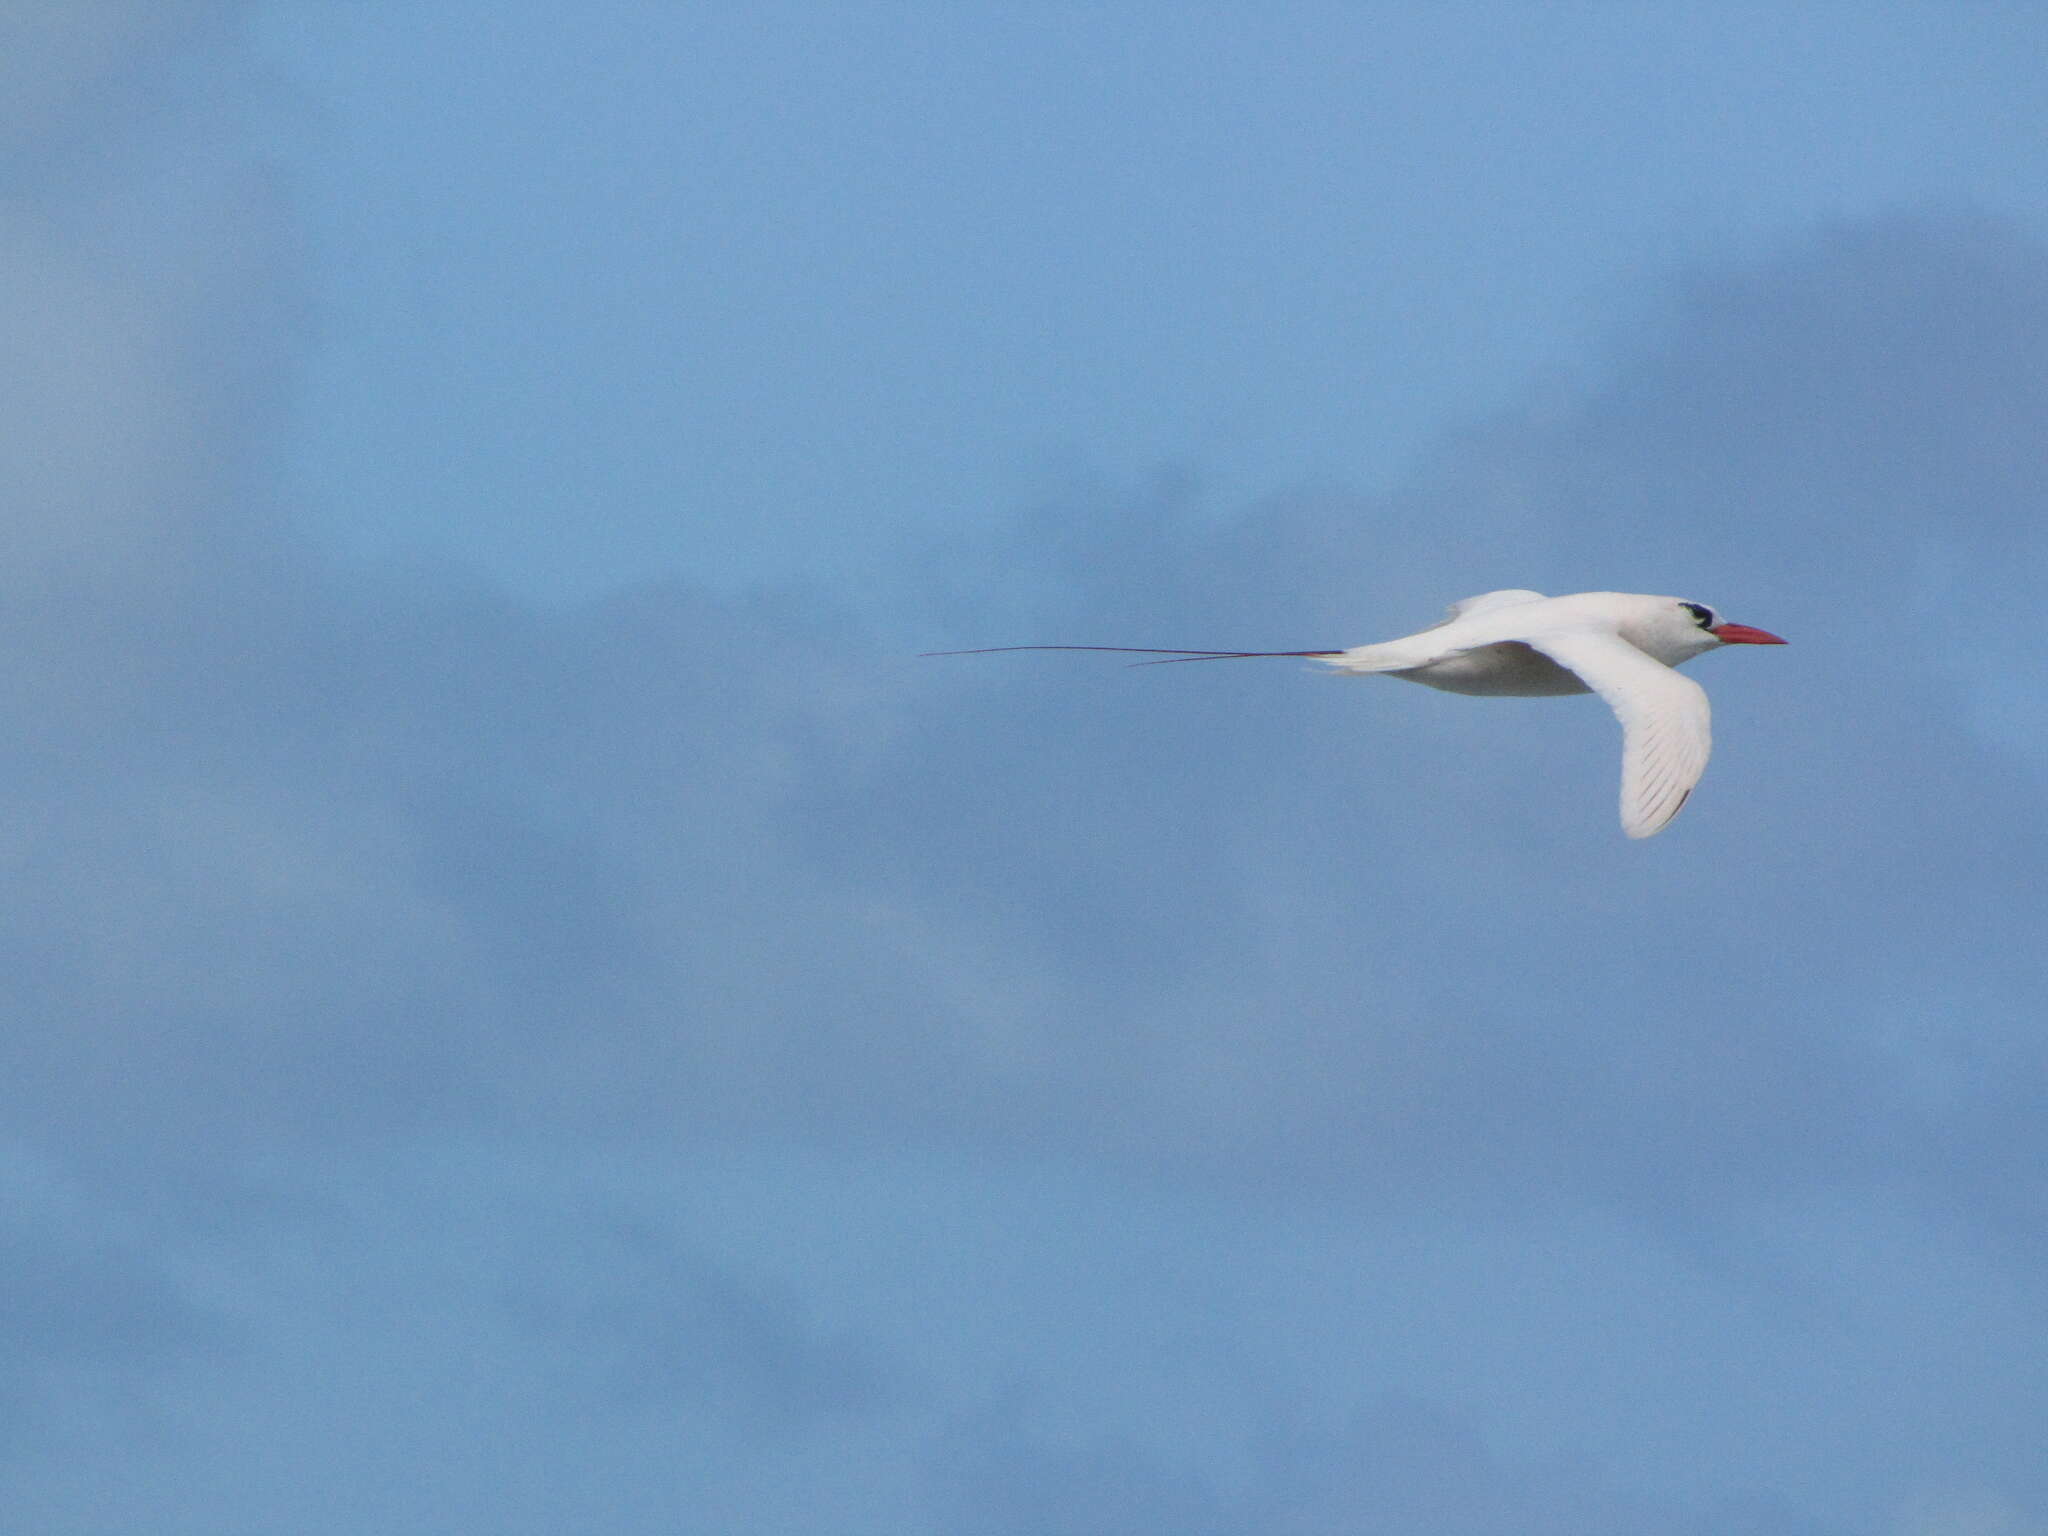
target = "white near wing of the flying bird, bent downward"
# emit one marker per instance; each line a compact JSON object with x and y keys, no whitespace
{"x":1666,"y":722}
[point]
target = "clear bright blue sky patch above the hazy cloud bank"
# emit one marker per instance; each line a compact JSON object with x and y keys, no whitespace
{"x":759,"y":290}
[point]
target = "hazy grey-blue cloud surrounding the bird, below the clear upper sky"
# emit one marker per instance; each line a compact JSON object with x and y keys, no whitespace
{"x":316,"y":873}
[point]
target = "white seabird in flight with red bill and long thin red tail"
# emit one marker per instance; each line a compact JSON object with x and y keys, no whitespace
{"x":1621,"y":646}
